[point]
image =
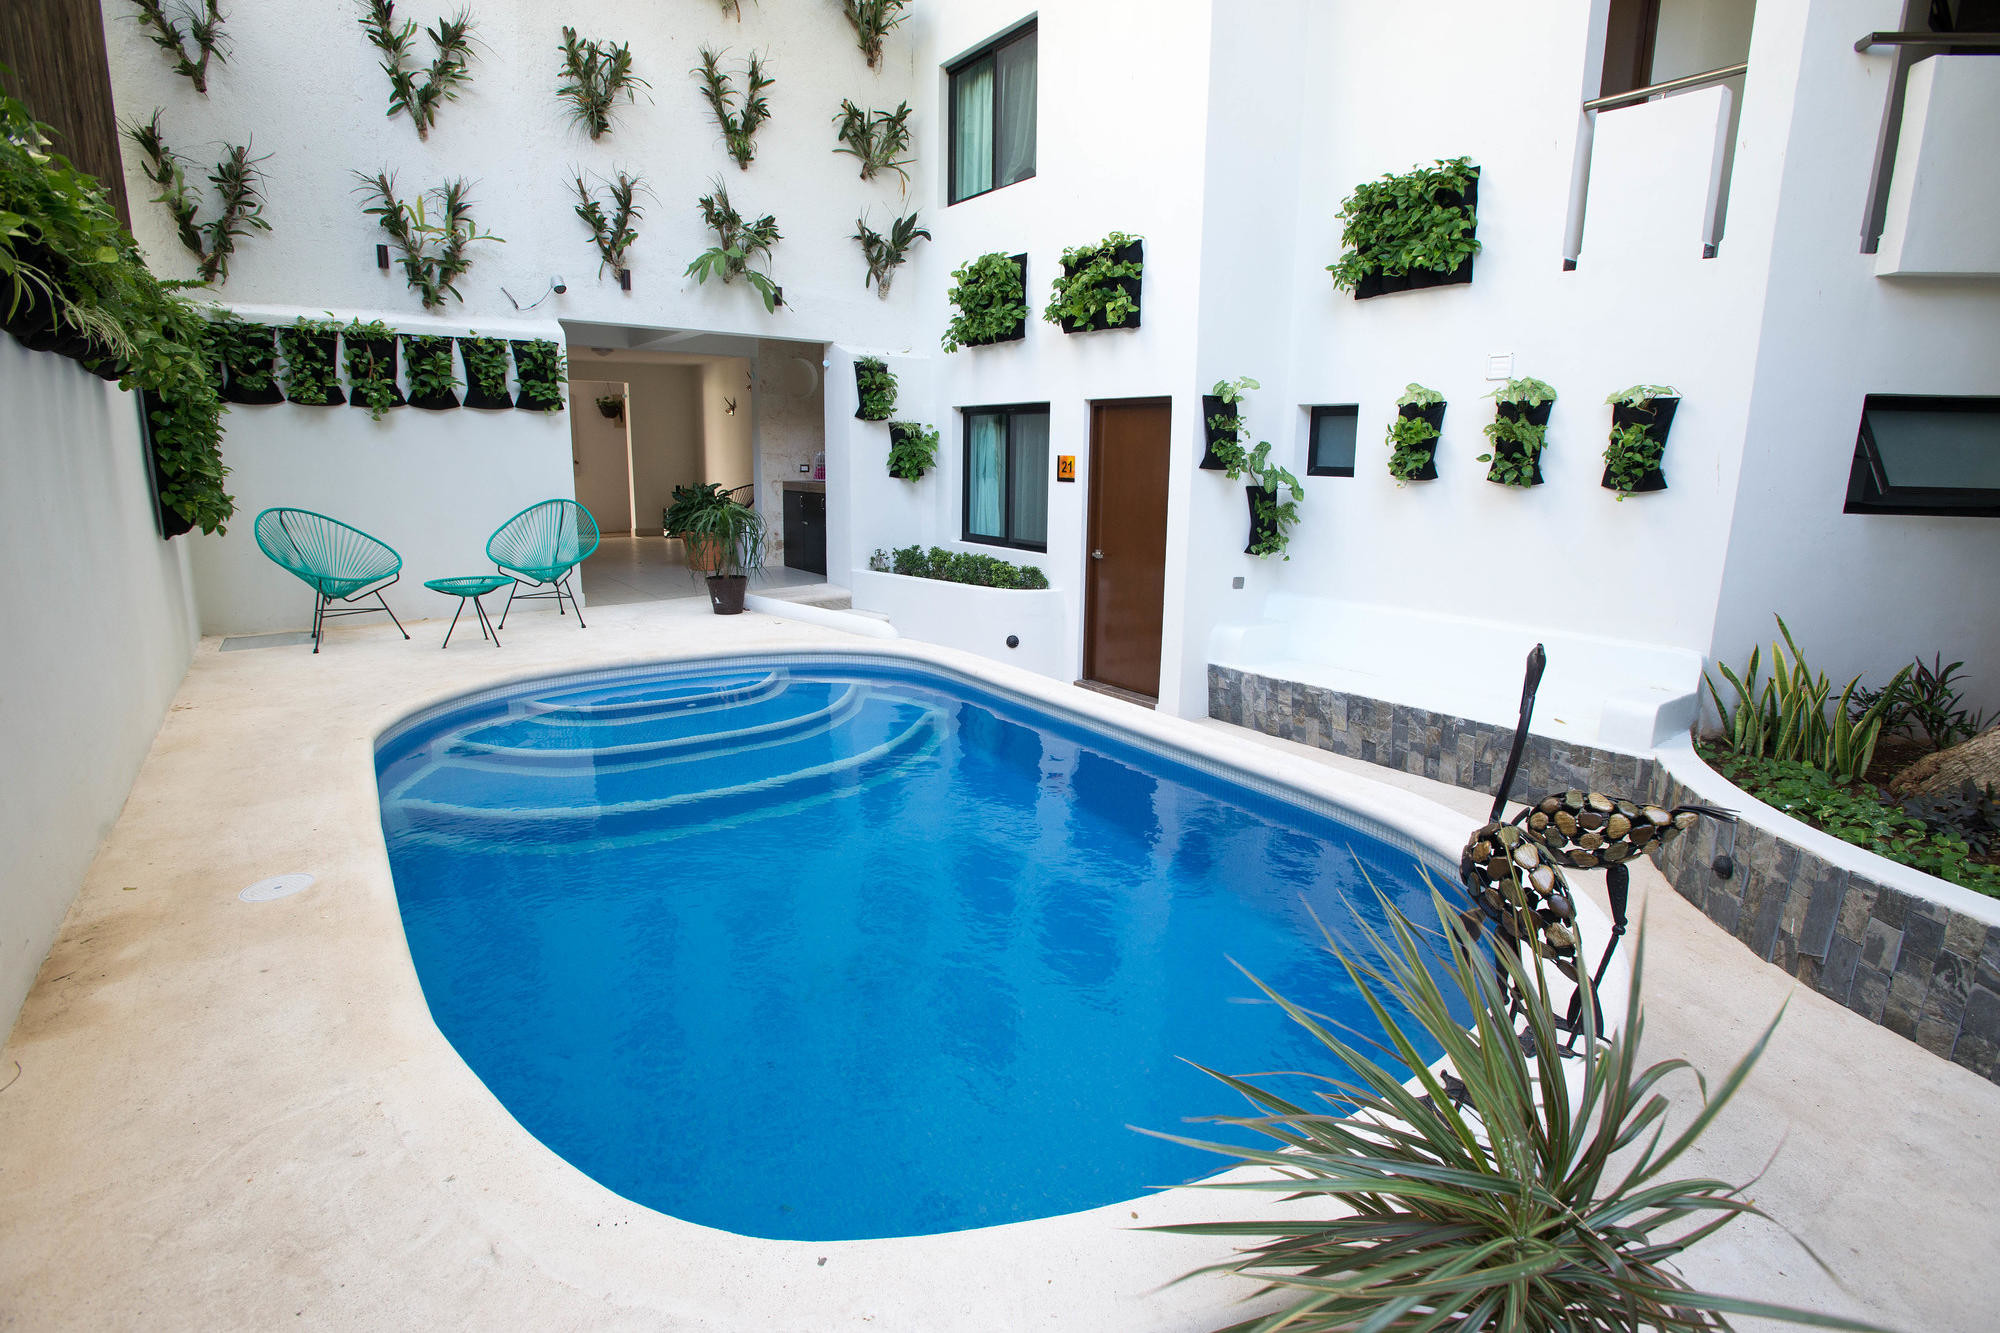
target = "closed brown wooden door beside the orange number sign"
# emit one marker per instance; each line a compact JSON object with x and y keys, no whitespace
{"x":1125,"y":565}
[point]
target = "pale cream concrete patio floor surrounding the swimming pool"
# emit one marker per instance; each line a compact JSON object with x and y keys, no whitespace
{"x":241,"y":1116}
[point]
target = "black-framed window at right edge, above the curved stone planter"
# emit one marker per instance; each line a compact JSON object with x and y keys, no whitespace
{"x":1927,"y":457}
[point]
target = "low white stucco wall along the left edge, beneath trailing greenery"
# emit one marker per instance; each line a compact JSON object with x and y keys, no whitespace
{"x":101,"y":629}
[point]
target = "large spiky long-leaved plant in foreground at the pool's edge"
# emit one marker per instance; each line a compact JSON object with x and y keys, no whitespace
{"x":1537,"y":1202}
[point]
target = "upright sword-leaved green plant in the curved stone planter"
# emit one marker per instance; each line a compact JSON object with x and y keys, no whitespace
{"x":1787,"y":716}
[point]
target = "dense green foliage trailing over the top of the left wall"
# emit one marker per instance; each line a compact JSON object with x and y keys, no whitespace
{"x":71,"y":269}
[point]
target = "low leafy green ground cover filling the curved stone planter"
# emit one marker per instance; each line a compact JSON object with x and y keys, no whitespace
{"x":1853,"y":814}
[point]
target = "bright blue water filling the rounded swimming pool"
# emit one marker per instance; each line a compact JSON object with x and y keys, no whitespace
{"x":833,"y":952}
